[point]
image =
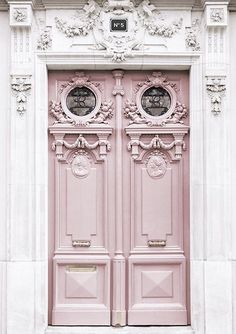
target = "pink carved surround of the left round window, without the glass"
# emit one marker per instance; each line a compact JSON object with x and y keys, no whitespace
{"x":100,"y":115}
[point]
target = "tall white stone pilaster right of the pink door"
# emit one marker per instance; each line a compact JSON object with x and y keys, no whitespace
{"x":217,"y":267}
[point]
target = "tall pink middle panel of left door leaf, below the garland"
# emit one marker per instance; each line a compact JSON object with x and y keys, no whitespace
{"x":77,"y":222}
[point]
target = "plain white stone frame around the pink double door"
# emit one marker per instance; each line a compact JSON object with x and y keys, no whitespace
{"x":161,"y":61}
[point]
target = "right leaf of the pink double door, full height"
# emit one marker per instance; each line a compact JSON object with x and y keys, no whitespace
{"x":157,"y":167}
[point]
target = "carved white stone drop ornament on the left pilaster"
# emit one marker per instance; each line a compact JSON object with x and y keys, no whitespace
{"x":21,"y":87}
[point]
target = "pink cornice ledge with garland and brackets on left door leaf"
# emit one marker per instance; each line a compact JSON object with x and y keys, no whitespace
{"x":81,"y":142}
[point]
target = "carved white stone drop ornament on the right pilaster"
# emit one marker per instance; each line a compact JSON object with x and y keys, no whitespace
{"x":216,"y":89}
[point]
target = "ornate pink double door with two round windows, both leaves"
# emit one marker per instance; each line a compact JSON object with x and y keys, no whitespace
{"x":118,"y":198}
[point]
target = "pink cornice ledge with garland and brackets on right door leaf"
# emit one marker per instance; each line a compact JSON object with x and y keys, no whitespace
{"x":174,"y":147}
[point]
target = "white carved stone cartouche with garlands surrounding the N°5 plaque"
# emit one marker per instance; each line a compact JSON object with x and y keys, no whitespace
{"x":120,"y":45}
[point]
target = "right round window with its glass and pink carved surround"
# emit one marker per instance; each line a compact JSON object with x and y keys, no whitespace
{"x":155,"y":103}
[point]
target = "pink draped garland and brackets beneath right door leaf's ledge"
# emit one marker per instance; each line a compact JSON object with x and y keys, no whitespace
{"x":157,"y":143}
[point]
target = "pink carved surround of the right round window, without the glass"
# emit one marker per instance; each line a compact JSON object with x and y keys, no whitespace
{"x":134,"y":111}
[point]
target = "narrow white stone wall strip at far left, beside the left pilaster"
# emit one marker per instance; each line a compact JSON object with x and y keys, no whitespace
{"x":4,"y":166}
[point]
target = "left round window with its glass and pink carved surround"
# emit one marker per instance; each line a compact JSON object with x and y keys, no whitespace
{"x":80,"y":103}
